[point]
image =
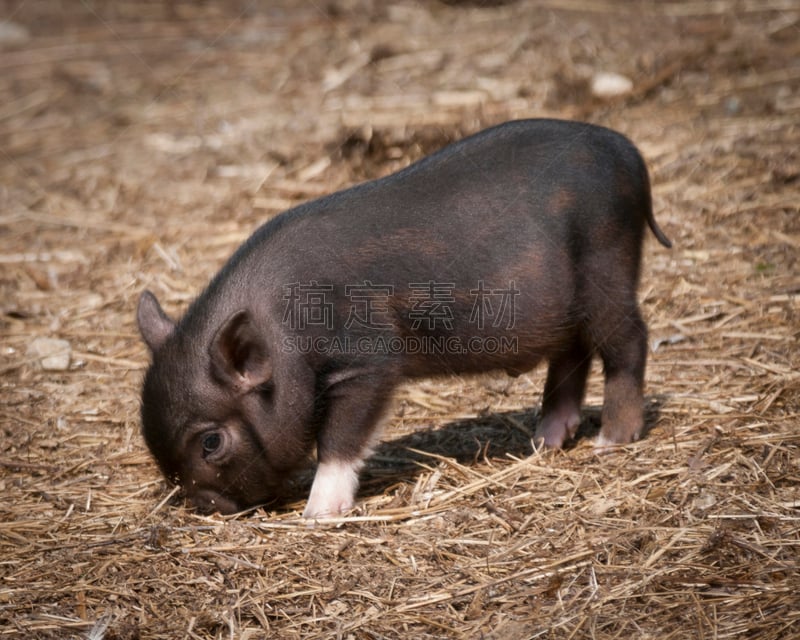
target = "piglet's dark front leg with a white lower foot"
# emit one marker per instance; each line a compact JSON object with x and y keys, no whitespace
{"x":355,"y":408}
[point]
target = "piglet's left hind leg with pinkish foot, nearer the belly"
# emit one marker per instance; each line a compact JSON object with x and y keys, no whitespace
{"x":563,"y":394}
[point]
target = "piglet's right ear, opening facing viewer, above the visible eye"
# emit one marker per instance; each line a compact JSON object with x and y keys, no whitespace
{"x":239,"y":354}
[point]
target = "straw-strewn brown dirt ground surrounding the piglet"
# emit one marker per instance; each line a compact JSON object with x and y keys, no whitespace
{"x":141,"y":142}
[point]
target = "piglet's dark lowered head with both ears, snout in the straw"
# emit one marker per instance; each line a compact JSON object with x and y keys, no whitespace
{"x":209,"y":401}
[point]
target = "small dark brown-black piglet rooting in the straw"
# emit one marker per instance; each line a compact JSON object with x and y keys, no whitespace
{"x":518,"y":244}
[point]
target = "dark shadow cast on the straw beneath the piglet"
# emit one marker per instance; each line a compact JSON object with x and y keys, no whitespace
{"x":400,"y":461}
